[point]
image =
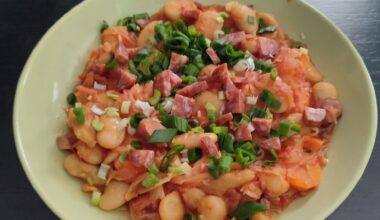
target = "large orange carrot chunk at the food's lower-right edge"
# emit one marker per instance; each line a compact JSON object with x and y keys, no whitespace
{"x":304,"y":177}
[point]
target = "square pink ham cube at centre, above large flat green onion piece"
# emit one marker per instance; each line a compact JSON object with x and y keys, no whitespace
{"x":183,"y":106}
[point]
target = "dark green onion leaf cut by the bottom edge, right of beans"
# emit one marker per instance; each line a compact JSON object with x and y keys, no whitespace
{"x":247,"y":210}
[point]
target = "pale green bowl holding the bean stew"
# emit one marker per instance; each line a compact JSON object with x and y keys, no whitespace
{"x":59,"y":57}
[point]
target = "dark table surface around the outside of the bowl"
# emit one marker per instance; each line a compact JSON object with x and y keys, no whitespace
{"x":22,"y":24}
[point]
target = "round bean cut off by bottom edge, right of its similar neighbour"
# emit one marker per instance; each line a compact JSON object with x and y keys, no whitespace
{"x":212,"y":208}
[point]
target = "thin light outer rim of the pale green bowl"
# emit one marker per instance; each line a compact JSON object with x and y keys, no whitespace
{"x":59,"y":212}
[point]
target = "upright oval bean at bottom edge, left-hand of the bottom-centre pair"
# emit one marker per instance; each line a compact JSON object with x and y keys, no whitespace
{"x":171,"y":207}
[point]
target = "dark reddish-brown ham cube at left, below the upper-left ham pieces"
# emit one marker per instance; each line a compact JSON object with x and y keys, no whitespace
{"x":121,"y":79}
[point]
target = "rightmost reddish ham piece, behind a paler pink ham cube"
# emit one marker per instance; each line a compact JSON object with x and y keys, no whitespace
{"x":333,"y":109}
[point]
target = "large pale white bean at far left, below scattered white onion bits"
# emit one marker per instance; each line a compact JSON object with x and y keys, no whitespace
{"x":111,"y":136}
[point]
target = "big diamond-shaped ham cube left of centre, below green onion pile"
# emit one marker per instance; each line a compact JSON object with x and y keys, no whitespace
{"x":166,"y":81}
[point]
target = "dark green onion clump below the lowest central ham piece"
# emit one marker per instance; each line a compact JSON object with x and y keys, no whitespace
{"x":216,"y":166}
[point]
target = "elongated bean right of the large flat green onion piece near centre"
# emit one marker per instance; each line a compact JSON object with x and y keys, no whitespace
{"x":191,"y":140}
